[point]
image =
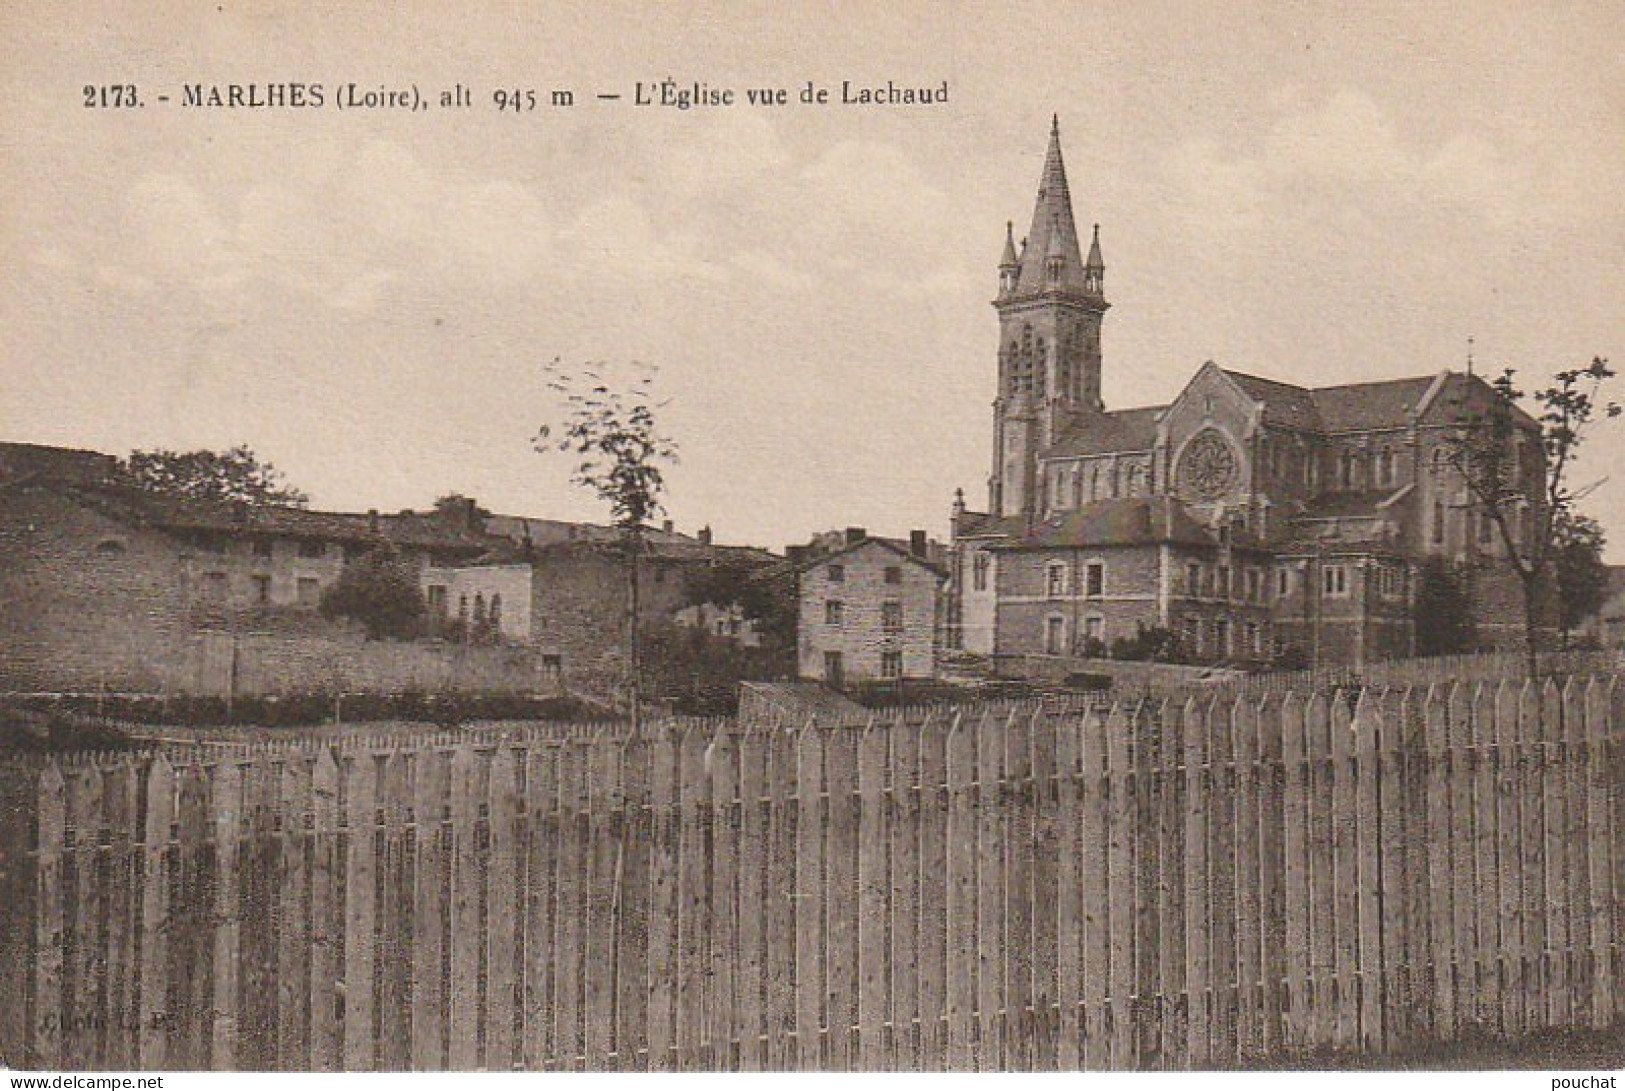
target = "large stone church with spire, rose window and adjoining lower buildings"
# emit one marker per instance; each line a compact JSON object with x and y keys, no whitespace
{"x":1247,"y":523}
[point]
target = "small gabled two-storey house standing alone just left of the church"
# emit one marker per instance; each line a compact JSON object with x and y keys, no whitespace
{"x":869,"y":612}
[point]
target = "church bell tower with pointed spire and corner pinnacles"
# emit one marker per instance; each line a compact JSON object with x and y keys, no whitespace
{"x":1051,"y":306}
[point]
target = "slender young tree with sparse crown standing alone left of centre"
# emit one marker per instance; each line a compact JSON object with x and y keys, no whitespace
{"x":620,"y":453}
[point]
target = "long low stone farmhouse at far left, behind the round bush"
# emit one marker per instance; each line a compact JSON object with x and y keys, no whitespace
{"x":103,"y":585}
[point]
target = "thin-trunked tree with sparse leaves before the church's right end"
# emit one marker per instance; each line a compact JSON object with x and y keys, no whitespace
{"x":1525,"y":502}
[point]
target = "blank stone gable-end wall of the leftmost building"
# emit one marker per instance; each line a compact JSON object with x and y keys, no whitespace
{"x":85,"y":601}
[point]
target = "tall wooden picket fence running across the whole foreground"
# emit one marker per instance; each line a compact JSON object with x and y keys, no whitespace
{"x":1151,"y":887}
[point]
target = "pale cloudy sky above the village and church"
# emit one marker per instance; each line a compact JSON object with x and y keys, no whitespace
{"x":368,"y":298}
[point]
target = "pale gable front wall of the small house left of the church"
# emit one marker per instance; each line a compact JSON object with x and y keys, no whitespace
{"x":862,"y":638}
